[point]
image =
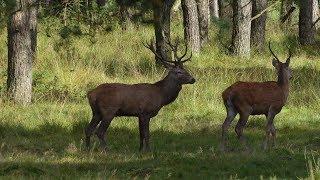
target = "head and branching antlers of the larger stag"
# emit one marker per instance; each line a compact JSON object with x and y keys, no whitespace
{"x":175,"y":67}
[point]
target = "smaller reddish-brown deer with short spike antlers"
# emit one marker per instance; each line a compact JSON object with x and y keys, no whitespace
{"x":257,"y":98}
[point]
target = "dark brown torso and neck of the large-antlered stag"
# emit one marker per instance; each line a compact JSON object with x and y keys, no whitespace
{"x":134,"y":100}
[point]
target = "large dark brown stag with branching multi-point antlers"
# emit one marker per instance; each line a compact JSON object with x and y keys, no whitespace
{"x":138,"y":100}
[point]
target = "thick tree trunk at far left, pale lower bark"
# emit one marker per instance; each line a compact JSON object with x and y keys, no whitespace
{"x":22,"y":40}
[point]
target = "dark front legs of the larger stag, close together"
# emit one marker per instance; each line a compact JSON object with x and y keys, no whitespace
{"x":144,"y":134}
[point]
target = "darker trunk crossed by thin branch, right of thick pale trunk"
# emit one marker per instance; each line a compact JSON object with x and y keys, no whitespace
{"x":258,"y":26}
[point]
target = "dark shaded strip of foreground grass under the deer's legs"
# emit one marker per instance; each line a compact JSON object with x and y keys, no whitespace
{"x":188,"y":154}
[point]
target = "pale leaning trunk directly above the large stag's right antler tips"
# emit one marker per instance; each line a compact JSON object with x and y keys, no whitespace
{"x":191,"y":24}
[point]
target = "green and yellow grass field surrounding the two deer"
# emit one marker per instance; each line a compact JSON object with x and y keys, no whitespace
{"x":46,"y":138}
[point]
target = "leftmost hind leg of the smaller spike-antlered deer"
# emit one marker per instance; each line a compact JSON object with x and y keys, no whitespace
{"x":231,"y":114}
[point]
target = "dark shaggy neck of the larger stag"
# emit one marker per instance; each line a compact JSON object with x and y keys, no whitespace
{"x":169,"y":88}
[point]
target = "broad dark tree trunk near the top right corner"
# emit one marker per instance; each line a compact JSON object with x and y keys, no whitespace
{"x":306,"y":30}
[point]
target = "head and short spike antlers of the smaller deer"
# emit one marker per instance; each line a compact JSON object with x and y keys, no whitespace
{"x":282,"y":68}
